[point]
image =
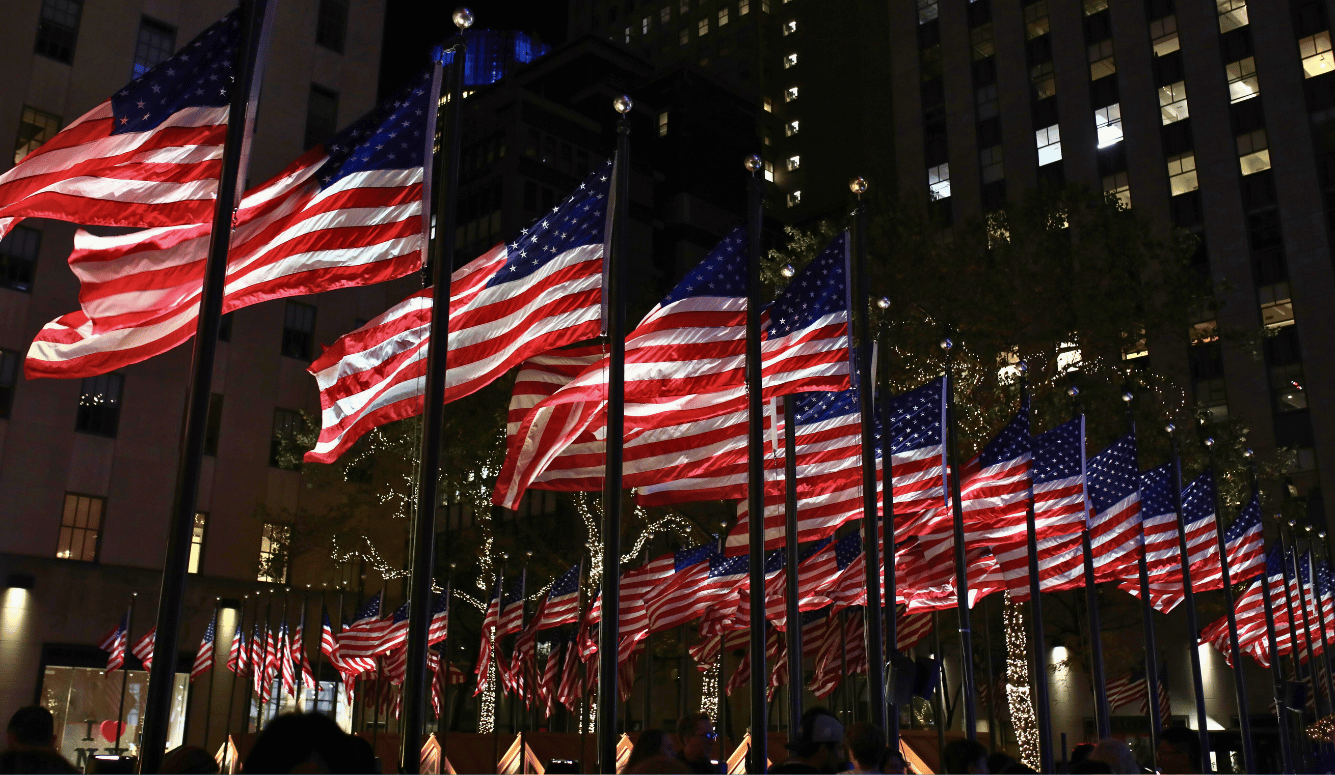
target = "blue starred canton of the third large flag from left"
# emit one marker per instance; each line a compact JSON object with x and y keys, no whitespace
{"x":573,"y":223}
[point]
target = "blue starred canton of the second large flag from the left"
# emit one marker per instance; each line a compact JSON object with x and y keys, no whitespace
{"x":390,"y":137}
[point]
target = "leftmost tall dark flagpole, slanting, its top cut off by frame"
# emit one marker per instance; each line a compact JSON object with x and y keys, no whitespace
{"x":249,"y":74}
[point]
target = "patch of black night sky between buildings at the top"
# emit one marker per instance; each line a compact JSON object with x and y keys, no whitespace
{"x":413,"y":27}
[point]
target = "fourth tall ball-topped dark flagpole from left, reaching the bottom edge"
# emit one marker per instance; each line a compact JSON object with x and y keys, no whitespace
{"x":756,"y":476}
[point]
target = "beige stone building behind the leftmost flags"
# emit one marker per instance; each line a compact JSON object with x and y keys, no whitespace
{"x":89,"y":468}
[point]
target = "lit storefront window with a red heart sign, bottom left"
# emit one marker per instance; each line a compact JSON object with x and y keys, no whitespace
{"x":85,"y":702}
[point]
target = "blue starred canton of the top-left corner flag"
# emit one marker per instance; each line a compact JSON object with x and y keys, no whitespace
{"x":198,"y":77}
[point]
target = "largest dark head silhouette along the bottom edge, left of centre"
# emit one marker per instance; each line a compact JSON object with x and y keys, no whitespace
{"x":305,"y":744}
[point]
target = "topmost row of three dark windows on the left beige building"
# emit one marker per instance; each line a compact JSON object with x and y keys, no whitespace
{"x":58,"y":33}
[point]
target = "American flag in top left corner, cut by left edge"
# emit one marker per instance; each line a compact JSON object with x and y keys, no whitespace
{"x":149,"y":157}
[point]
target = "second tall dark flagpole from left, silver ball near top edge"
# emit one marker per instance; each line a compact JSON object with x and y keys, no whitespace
{"x":441,"y":263}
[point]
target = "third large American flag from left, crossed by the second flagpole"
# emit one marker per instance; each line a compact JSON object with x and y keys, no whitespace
{"x":517,"y":301}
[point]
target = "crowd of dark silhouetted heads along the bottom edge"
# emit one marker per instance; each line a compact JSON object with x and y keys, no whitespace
{"x":316,"y":744}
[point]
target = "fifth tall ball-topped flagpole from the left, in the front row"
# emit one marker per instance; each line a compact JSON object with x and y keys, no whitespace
{"x":862,"y":315}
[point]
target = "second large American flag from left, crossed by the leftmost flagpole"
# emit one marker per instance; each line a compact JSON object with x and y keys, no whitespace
{"x":346,"y":214}
